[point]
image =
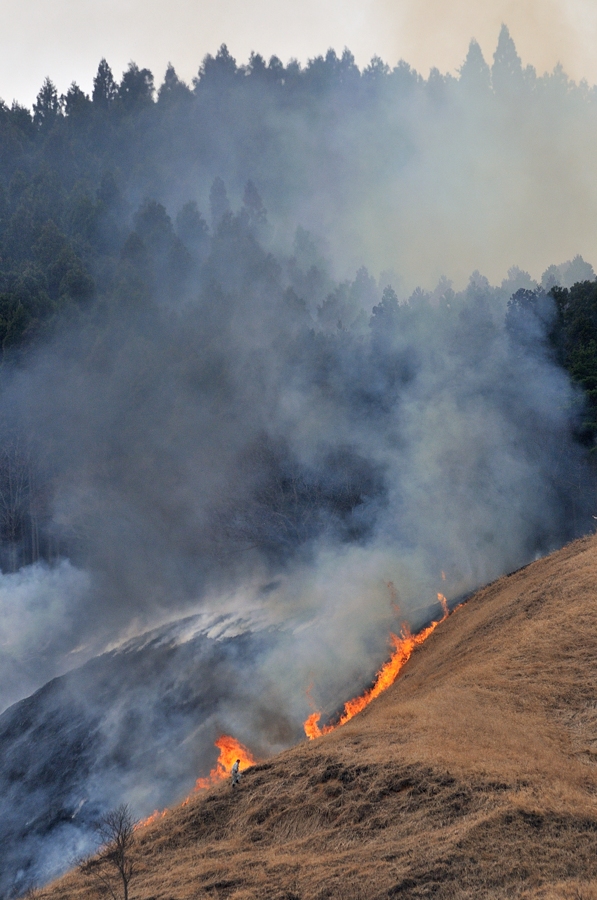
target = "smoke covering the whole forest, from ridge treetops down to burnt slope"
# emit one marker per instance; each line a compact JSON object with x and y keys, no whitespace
{"x":221,"y":389}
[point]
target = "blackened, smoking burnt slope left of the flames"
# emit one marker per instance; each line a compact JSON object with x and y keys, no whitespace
{"x":134,"y":724}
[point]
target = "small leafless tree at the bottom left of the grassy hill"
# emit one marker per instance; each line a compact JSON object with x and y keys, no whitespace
{"x":113,"y":868}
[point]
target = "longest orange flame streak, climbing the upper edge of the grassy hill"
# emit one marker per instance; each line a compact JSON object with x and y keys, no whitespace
{"x":404,"y":644}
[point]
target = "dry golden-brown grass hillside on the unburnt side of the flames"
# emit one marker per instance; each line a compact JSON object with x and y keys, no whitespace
{"x":475,"y":775}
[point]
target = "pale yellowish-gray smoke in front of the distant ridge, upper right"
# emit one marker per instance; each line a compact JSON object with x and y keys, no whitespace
{"x":426,"y":177}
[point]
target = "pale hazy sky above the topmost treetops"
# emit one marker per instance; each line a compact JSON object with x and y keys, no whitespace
{"x":65,"y":39}
